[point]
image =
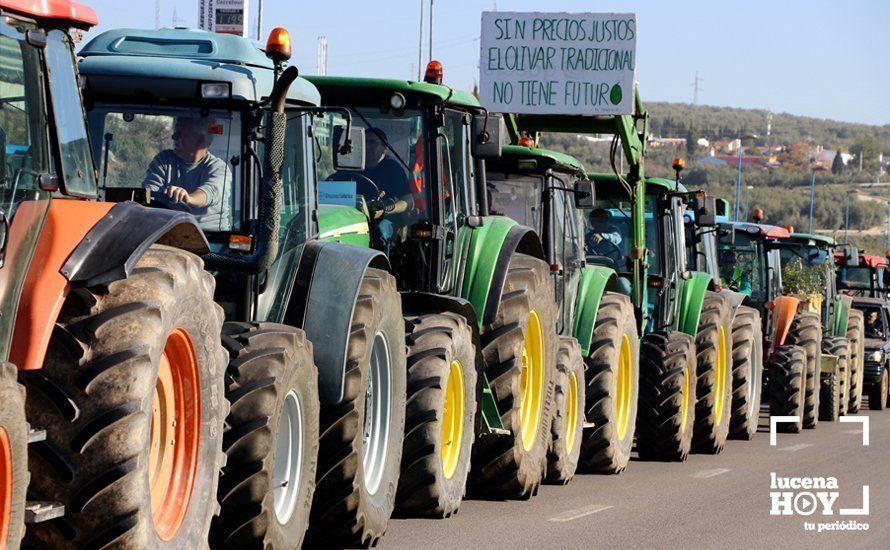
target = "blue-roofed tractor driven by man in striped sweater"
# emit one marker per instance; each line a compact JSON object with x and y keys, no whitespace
{"x":213,"y":126}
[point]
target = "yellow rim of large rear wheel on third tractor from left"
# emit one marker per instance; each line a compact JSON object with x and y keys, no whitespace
{"x":531,"y":381}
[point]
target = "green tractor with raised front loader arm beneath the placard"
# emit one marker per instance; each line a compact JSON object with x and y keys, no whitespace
{"x":686,"y":326}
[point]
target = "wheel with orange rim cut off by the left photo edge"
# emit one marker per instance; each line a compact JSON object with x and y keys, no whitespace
{"x":13,"y":457}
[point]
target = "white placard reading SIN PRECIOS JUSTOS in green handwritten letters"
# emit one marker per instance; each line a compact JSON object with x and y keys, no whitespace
{"x":558,"y":63}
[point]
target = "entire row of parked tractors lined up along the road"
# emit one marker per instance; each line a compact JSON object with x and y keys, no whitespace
{"x":245,"y":308}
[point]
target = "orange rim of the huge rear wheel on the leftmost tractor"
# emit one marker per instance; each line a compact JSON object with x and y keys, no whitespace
{"x":175,"y":433}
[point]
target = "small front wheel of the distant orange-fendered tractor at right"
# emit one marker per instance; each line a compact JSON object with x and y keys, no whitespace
{"x":787,"y":369}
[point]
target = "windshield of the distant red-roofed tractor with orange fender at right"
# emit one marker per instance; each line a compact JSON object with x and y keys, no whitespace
{"x":743,"y":264}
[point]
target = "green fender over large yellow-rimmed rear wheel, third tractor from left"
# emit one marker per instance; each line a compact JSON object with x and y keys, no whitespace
{"x":491,"y":248}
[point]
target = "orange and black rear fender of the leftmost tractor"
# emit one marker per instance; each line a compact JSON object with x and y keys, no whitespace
{"x":87,"y":243}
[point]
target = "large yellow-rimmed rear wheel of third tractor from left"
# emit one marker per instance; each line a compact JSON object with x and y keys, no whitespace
{"x":519,"y":350}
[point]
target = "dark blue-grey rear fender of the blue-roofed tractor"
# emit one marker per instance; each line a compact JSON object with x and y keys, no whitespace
{"x":322,"y":302}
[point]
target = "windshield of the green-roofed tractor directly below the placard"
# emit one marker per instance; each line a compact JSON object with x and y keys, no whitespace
{"x":517,"y":197}
